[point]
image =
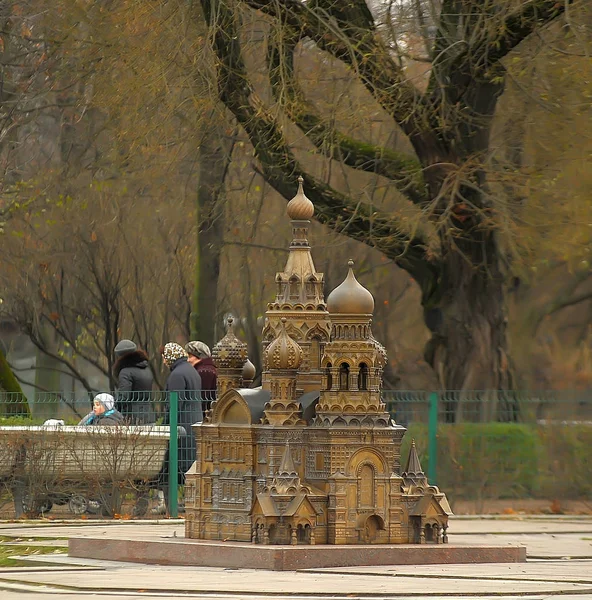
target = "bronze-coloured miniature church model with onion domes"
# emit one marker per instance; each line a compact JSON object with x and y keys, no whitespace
{"x":312,"y":456}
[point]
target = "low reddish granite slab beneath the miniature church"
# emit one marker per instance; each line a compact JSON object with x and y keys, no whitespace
{"x":200,"y":553}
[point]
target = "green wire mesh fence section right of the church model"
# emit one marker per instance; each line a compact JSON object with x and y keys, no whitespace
{"x":484,"y":445}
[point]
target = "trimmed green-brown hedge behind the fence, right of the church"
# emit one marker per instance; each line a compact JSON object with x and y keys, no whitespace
{"x":508,"y":460}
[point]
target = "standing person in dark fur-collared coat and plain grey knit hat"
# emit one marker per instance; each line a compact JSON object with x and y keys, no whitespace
{"x":134,"y":383}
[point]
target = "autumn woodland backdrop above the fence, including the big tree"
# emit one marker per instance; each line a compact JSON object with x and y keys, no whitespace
{"x":149,"y":146}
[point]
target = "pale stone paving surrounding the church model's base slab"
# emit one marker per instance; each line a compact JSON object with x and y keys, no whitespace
{"x":559,"y":567}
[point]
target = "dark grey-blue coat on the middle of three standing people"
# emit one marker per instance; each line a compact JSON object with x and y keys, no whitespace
{"x":185,"y":380}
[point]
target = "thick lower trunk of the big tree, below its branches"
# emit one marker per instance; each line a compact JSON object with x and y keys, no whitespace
{"x":468,"y":348}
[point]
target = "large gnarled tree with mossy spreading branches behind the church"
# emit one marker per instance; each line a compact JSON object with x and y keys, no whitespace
{"x":454,"y":253}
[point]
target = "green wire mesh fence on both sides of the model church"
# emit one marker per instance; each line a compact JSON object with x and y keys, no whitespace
{"x":475,"y":445}
